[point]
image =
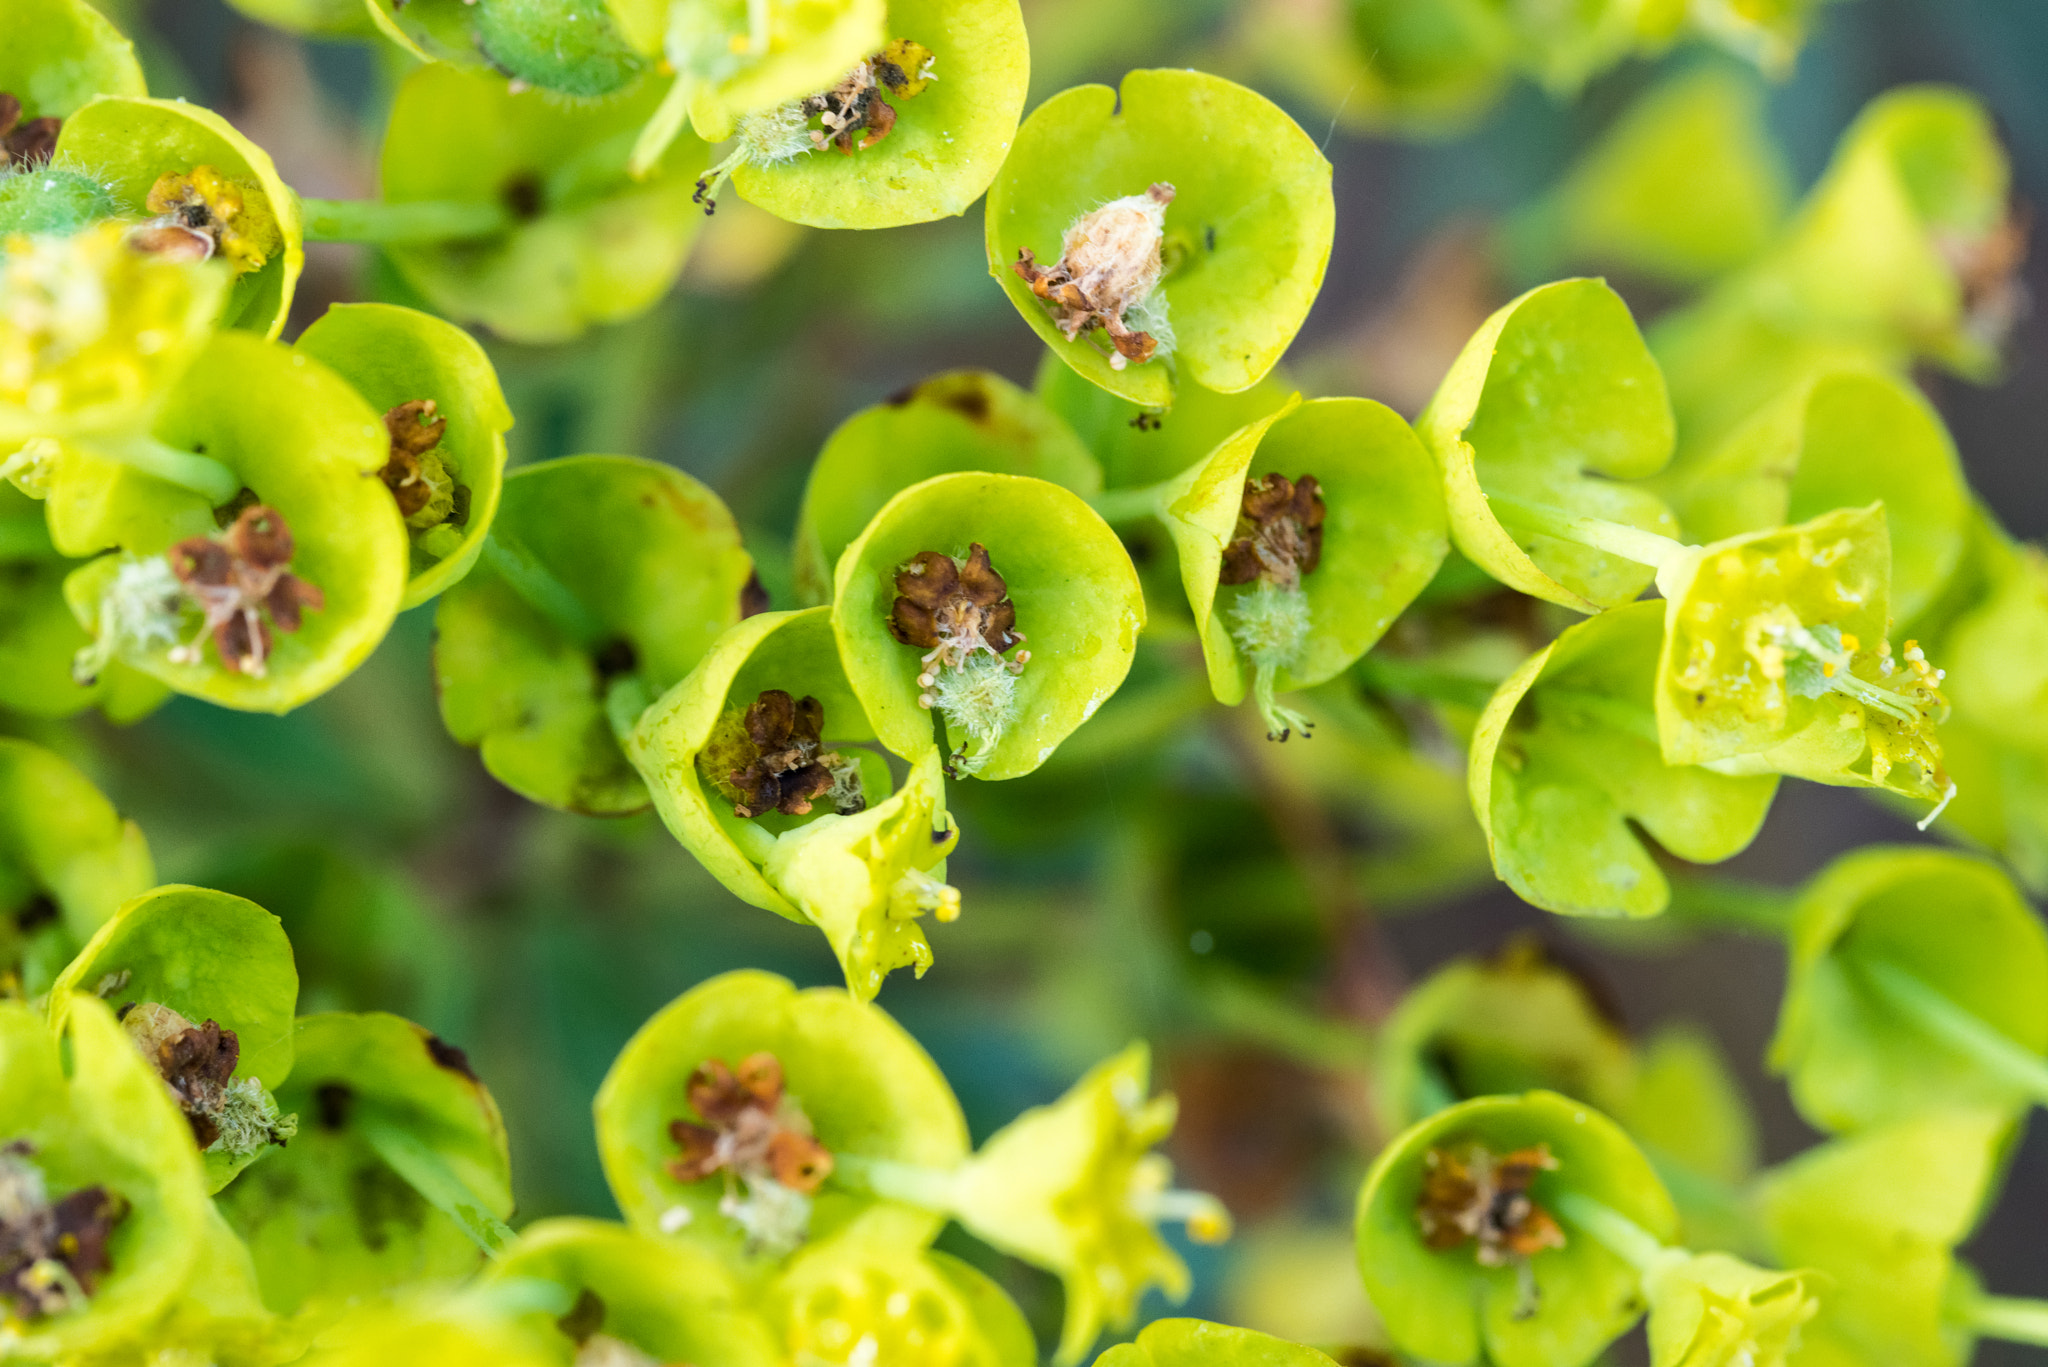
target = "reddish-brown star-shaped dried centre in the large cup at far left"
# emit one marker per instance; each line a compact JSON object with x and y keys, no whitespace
{"x":245,"y":585}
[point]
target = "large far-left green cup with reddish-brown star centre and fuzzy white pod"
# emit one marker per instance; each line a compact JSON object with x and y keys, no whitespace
{"x":273,"y":595}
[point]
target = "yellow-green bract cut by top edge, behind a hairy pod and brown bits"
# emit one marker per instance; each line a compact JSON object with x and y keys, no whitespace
{"x":947,"y":142}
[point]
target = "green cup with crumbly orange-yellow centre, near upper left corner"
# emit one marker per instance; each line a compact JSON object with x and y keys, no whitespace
{"x":189,"y":167}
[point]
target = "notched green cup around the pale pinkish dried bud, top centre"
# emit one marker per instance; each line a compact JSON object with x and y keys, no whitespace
{"x":1246,"y":235}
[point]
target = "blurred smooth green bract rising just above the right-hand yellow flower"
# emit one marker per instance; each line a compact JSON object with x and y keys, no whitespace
{"x":1842,"y":440}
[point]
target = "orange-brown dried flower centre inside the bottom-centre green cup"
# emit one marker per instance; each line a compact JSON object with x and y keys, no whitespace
{"x":749,"y":1128}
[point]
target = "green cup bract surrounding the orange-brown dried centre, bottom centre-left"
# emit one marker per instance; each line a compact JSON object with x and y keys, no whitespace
{"x":867,"y":1087}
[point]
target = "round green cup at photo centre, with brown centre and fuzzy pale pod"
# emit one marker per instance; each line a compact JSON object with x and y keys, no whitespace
{"x":957,"y":573}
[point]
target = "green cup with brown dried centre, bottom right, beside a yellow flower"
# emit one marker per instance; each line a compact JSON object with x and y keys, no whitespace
{"x":1519,"y":1290}
